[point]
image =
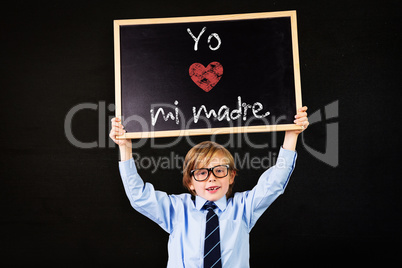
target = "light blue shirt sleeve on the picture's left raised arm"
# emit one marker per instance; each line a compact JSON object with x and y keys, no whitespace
{"x":155,"y":205}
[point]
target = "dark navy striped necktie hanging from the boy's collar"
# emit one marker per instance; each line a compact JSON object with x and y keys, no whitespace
{"x":212,"y":248}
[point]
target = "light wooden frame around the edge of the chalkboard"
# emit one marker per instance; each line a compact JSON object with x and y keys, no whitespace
{"x":207,"y":131}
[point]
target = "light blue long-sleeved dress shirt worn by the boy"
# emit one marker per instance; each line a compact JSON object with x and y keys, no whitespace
{"x":184,"y":219}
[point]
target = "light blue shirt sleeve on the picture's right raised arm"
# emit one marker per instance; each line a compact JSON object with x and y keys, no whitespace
{"x":271,"y":184}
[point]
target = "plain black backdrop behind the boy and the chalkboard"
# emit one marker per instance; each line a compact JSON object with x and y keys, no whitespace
{"x":65,"y":206}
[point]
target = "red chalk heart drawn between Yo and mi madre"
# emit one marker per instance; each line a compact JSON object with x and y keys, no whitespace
{"x":206,"y":77}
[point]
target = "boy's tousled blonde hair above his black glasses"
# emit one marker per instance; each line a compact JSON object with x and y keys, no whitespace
{"x":202,"y":154}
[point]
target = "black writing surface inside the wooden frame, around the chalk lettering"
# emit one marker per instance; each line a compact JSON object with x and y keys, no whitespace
{"x":257,"y":61}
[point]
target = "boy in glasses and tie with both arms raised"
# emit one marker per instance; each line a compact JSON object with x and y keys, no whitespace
{"x":207,"y":228}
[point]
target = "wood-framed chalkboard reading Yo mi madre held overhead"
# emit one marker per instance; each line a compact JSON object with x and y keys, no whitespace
{"x":207,"y":75}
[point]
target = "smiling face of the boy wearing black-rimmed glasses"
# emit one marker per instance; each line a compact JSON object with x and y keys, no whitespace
{"x":213,"y":189}
